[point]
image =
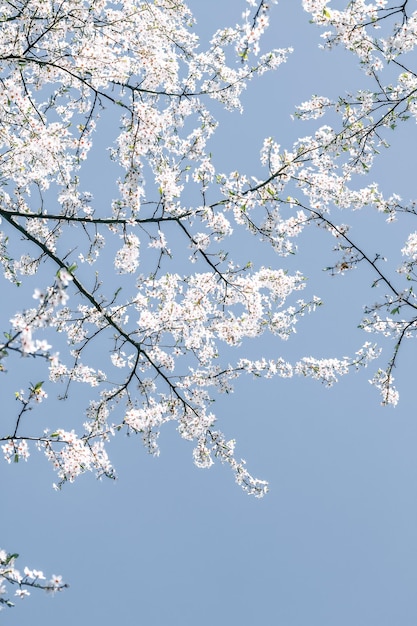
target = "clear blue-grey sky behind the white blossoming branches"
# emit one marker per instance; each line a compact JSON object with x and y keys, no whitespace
{"x":334,"y":543}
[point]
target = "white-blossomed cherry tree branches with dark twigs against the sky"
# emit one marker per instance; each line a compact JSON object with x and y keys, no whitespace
{"x":143,"y":298}
